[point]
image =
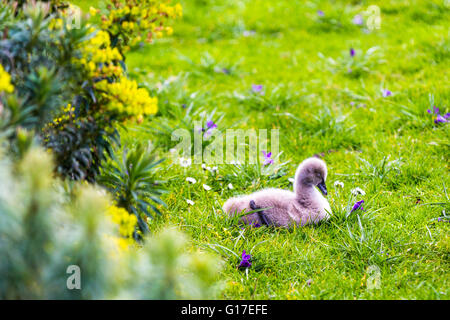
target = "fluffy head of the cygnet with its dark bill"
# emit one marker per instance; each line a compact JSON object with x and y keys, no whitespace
{"x":311,"y":172}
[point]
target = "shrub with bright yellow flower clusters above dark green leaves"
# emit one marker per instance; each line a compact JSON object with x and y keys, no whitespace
{"x":81,"y":136}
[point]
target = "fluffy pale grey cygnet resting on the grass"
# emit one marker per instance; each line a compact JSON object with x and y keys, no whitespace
{"x":284,"y":208}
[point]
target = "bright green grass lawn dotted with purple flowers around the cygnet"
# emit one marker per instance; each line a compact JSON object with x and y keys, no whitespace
{"x":320,"y":108}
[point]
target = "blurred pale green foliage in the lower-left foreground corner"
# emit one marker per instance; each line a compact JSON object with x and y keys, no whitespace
{"x":45,"y":227}
